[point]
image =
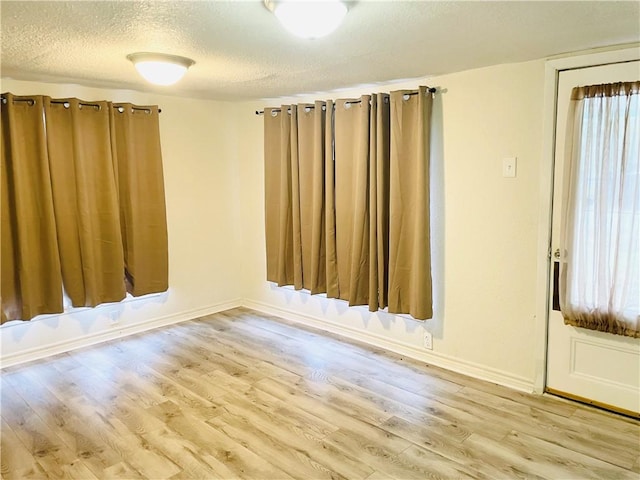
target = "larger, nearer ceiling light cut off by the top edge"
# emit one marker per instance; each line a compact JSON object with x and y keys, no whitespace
{"x":308,"y":18}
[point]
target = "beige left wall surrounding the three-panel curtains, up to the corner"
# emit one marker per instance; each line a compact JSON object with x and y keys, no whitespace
{"x":202,"y":193}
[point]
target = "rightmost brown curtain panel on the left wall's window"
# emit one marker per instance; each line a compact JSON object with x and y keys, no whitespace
{"x":137,"y":161}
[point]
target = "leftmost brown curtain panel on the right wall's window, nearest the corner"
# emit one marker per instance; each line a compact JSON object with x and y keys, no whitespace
{"x":278,"y":203}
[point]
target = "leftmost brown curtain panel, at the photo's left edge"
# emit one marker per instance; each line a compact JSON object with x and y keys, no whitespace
{"x":30,"y":264}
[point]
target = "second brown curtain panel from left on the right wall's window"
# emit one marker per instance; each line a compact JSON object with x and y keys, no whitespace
{"x":308,"y":195}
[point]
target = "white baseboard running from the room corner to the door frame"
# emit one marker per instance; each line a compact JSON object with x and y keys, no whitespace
{"x":448,"y":362}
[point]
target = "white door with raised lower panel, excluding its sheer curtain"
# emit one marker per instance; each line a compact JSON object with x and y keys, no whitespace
{"x":599,"y":368}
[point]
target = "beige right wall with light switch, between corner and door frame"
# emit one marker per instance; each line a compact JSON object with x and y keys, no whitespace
{"x":485,"y":229}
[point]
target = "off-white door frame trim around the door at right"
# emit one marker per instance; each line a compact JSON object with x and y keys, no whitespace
{"x":553,"y":67}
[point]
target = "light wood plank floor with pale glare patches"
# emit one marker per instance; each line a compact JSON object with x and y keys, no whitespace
{"x":245,"y":395}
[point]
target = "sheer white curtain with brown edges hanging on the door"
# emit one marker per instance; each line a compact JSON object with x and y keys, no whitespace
{"x":600,"y":241}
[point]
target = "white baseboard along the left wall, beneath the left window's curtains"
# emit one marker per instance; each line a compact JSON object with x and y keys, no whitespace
{"x":104,"y":336}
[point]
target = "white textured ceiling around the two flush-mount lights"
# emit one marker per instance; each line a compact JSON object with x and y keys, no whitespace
{"x":242,"y":52}
